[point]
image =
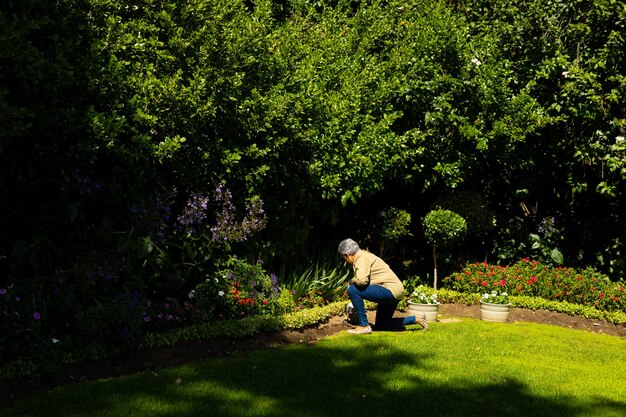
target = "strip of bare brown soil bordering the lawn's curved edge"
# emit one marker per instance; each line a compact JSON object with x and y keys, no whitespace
{"x":185,"y":352}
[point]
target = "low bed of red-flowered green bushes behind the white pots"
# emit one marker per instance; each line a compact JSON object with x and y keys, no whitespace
{"x":530,"y":278}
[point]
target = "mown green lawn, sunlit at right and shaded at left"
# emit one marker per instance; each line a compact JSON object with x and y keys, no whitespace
{"x":469,"y":368}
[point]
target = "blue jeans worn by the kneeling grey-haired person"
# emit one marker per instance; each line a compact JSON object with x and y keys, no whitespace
{"x":387,"y":304}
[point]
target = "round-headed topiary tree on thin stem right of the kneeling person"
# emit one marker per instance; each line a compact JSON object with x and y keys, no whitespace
{"x":441,"y":229}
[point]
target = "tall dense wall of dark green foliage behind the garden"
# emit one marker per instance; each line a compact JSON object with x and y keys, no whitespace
{"x":144,"y":144}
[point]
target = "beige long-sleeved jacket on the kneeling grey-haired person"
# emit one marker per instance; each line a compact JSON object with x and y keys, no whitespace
{"x":370,"y":269}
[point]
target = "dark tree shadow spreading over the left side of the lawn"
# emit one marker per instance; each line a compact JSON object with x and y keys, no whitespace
{"x":368,"y":377}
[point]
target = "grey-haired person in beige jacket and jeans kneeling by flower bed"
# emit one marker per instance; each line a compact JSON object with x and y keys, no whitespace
{"x":374,"y":281}
